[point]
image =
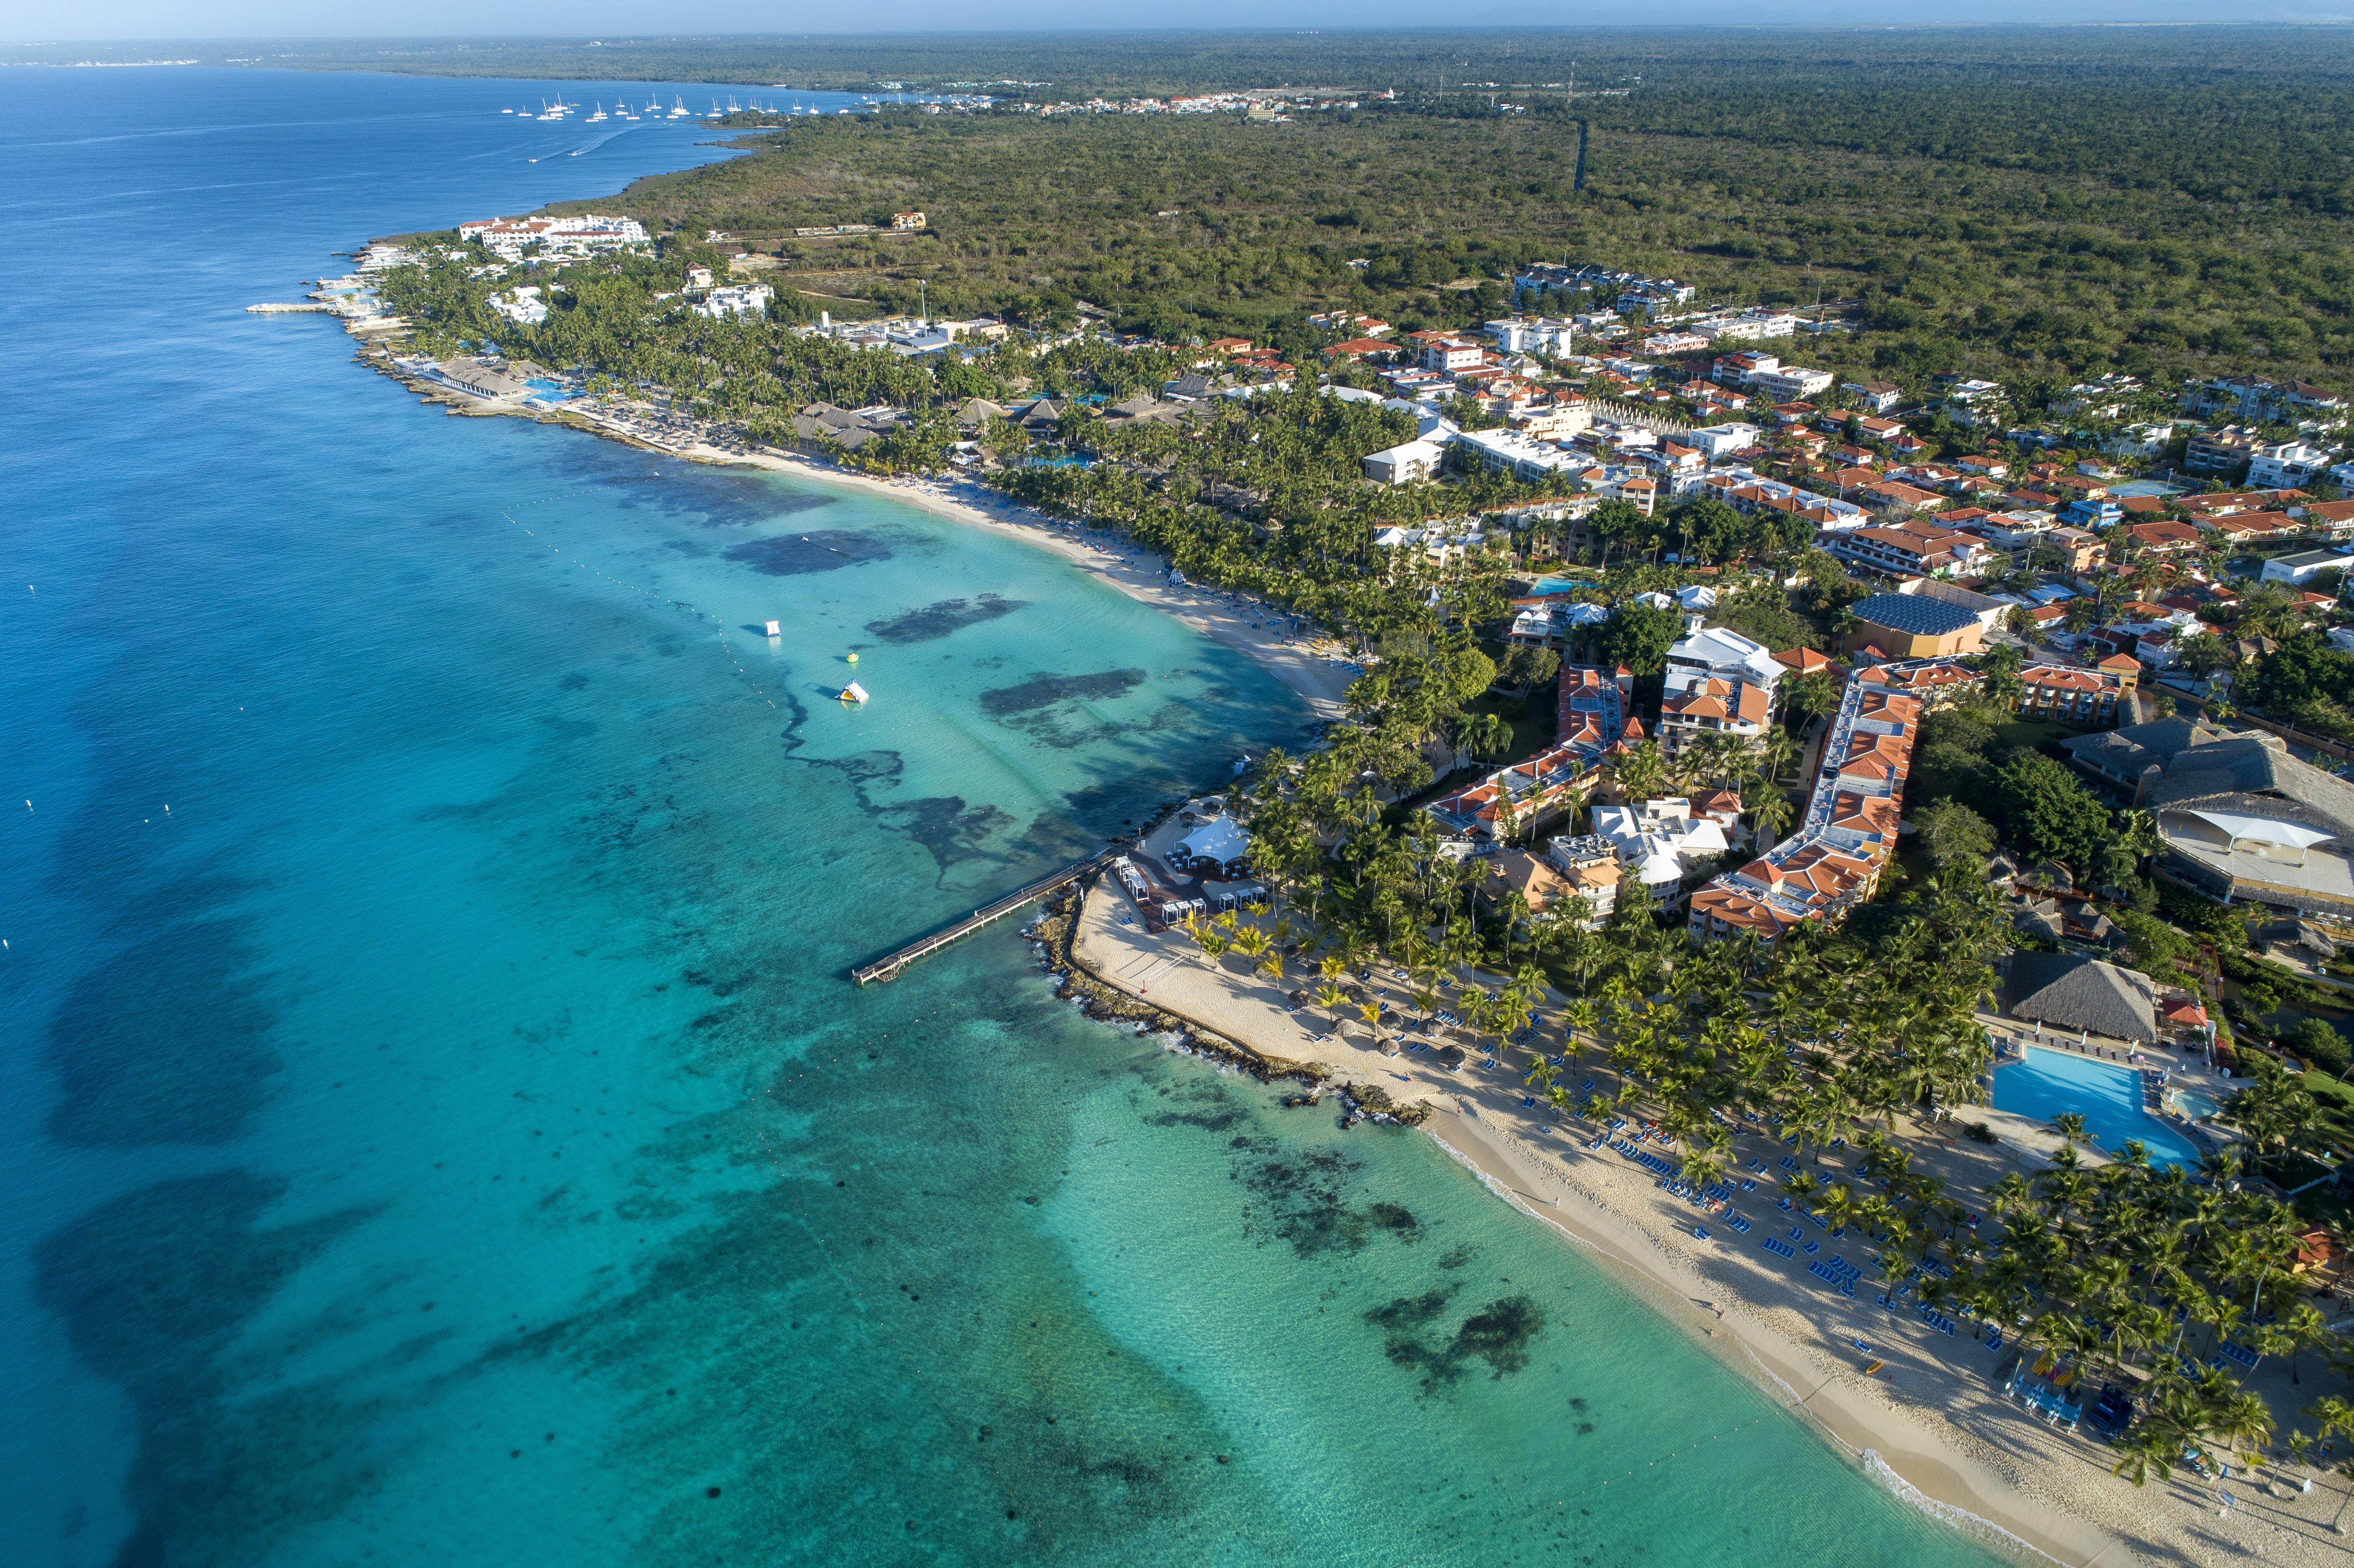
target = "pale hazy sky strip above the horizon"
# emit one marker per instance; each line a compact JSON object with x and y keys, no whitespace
{"x":32,"y":20}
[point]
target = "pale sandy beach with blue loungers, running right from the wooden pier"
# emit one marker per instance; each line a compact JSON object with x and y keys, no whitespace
{"x":1931,"y":1423}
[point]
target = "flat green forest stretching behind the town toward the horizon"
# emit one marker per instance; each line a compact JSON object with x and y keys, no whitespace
{"x":2035,"y":215}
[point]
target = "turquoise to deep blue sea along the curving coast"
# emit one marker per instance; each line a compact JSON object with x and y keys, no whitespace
{"x":437,"y":1122}
